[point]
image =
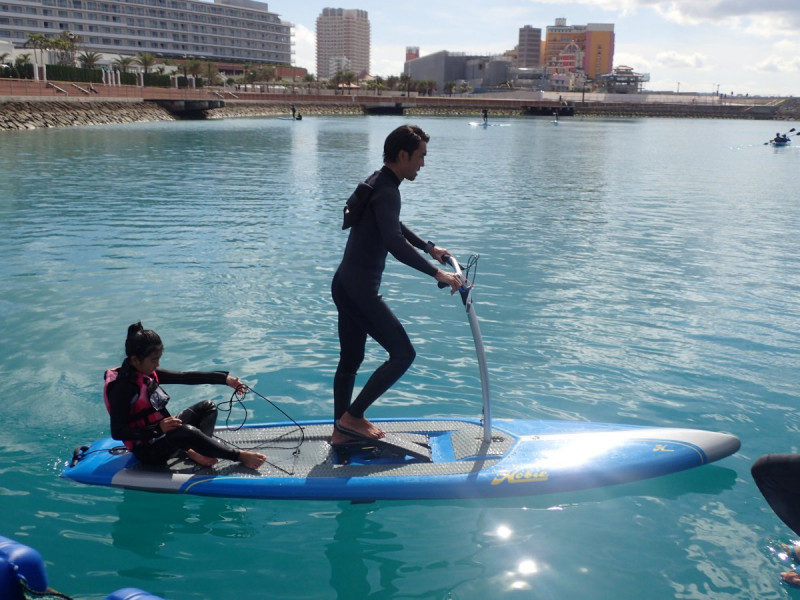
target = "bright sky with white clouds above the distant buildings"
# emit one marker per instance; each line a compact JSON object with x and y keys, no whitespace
{"x":730,"y":46}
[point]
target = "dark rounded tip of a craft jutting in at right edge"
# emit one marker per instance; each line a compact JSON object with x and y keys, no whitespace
{"x":778,"y":478}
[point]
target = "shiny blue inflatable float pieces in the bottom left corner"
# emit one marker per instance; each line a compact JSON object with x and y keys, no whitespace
{"x":22,"y":567}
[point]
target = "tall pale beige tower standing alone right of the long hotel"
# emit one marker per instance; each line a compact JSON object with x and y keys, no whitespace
{"x":342,"y":42}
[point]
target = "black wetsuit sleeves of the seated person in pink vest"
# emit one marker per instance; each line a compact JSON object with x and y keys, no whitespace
{"x":122,"y":392}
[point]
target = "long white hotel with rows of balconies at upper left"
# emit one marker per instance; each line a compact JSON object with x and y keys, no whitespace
{"x":222,"y":30}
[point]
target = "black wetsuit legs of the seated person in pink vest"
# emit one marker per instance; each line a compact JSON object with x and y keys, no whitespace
{"x":193,"y":434}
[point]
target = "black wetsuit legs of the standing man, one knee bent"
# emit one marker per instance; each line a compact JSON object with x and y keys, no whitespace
{"x":360,"y":316}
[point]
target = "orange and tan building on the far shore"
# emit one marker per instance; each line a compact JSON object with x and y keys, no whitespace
{"x":571,"y":48}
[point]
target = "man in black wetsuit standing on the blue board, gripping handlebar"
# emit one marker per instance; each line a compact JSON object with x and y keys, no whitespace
{"x":355,"y":286}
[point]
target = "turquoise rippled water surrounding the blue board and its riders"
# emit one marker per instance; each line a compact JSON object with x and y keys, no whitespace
{"x":634,"y":271}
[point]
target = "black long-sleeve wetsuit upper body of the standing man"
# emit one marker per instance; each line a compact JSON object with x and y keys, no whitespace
{"x":379,"y":232}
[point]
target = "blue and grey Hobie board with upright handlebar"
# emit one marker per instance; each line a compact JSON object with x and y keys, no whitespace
{"x":418,"y":458}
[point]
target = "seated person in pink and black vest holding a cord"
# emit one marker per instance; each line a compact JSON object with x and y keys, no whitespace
{"x":137,"y":405}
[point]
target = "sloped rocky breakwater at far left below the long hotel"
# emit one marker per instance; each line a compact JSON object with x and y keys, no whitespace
{"x":21,"y":114}
